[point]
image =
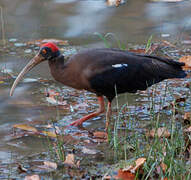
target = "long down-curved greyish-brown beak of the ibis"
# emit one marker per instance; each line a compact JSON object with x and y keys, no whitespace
{"x":32,"y":63}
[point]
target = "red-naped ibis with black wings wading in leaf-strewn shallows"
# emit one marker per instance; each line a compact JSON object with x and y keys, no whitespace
{"x":104,"y":72}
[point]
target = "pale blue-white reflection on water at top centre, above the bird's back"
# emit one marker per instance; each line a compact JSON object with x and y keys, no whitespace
{"x":88,"y":18}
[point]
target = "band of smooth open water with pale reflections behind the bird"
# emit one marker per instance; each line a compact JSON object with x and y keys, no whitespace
{"x":76,"y":19}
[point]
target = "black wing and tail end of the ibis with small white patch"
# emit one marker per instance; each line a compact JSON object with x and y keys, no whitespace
{"x":122,"y":71}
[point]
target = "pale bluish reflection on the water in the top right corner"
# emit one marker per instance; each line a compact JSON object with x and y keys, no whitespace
{"x":169,"y":18}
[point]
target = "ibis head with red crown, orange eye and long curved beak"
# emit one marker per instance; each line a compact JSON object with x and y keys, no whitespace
{"x":48,"y":51}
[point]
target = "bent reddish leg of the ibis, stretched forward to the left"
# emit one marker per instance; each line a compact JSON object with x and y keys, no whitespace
{"x":101,"y":109}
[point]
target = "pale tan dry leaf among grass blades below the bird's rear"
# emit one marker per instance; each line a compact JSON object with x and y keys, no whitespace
{"x":161,"y":132}
